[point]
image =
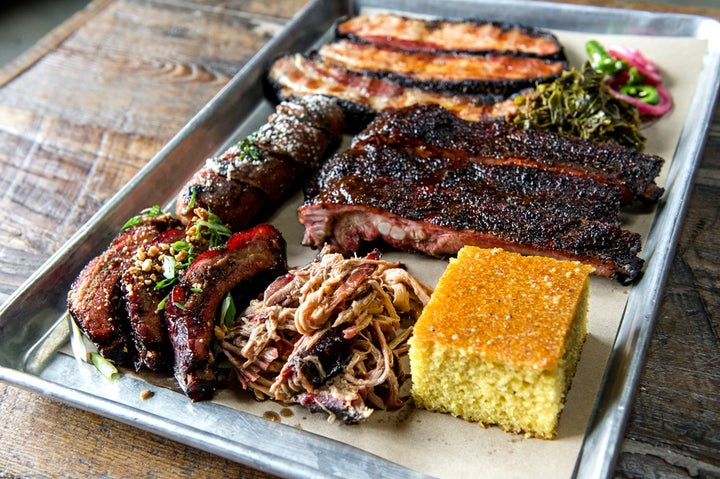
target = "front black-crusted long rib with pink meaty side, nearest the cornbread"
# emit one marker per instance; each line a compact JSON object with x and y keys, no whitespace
{"x":440,"y":222}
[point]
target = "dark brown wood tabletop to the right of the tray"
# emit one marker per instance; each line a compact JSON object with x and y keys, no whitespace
{"x":674,"y":423}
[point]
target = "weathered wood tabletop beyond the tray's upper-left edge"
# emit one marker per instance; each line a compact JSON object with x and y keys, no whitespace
{"x":98,"y":105}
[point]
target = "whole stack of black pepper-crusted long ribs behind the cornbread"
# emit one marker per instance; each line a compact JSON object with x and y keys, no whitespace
{"x":407,"y":180}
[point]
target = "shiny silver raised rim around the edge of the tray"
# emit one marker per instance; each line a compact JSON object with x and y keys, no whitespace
{"x":612,"y":406}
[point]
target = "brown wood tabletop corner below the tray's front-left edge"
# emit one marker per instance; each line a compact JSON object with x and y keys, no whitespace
{"x":53,"y":440}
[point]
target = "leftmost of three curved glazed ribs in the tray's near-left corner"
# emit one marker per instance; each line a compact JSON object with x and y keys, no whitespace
{"x":95,"y":298}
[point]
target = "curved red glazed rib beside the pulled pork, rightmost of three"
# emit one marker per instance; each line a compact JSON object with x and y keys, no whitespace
{"x":192,"y":307}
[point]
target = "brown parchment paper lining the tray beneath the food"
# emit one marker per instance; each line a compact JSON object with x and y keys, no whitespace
{"x":446,"y":447}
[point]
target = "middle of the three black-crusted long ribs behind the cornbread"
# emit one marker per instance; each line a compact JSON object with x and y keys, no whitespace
{"x":516,"y":186}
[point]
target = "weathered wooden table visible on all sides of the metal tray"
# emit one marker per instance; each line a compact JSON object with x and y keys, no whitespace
{"x":85,"y":108}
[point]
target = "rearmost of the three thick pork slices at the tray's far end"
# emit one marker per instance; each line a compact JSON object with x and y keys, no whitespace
{"x":447,"y":35}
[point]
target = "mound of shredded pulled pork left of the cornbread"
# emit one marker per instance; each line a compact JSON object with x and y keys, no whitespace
{"x":330,"y":336}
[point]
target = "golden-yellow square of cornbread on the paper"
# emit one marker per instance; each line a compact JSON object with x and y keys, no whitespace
{"x":500,"y":339}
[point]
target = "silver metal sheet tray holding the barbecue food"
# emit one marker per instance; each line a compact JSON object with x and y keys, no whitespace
{"x":32,"y":330}
